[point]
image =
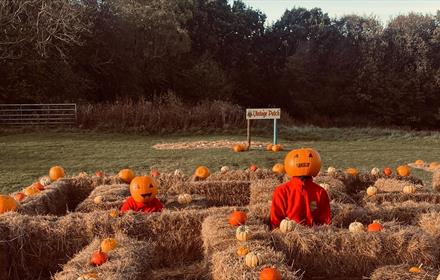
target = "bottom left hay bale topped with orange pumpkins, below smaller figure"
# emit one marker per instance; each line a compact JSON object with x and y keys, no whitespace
{"x":131,"y":259}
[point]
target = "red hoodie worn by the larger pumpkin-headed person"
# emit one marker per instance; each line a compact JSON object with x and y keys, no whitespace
{"x":304,"y":202}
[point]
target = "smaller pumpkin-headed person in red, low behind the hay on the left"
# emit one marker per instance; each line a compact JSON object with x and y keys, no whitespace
{"x":143,"y":190}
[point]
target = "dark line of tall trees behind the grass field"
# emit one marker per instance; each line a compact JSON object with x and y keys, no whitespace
{"x":347,"y":70}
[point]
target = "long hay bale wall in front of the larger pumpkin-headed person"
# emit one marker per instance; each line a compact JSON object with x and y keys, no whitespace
{"x":331,"y":252}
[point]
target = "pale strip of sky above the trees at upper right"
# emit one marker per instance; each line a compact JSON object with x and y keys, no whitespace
{"x":383,"y":9}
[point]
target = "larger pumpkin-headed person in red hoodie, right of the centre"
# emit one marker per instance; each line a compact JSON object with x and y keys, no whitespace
{"x":301,"y":200}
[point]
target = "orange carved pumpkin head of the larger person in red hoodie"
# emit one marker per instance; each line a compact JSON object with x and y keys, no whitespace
{"x":302,"y":162}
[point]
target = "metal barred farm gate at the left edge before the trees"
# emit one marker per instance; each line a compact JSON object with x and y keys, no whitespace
{"x":38,"y":114}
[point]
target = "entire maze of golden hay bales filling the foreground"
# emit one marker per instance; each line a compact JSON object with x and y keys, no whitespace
{"x":53,"y":234}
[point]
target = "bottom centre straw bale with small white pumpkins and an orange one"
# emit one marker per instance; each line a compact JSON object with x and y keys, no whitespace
{"x":227,"y":265}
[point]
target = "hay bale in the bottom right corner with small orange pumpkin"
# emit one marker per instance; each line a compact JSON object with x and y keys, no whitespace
{"x":401,"y":272}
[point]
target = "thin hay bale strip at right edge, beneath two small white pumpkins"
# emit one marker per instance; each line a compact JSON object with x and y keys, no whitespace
{"x":402,"y":197}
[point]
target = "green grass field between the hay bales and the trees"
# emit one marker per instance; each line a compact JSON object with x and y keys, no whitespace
{"x":25,"y":156}
